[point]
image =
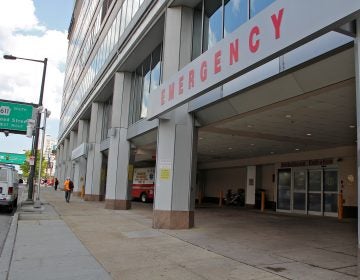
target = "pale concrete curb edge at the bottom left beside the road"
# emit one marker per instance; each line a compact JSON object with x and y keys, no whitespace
{"x":7,"y":252}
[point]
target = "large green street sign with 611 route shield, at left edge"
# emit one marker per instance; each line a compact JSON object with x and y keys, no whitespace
{"x":14,"y":116}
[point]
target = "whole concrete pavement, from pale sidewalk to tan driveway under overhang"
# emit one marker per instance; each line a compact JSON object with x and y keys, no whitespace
{"x":82,"y":240}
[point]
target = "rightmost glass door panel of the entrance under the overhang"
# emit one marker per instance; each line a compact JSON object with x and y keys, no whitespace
{"x":330,"y":192}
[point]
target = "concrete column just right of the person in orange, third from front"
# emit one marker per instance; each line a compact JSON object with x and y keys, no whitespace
{"x":93,"y":169}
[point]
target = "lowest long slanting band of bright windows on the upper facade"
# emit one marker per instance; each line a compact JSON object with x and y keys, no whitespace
{"x":121,"y":21}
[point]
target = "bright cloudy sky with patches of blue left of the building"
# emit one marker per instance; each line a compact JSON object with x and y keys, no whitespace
{"x":34,"y":29}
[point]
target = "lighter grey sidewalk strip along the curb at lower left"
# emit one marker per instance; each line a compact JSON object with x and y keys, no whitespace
{"x":43,"y":247}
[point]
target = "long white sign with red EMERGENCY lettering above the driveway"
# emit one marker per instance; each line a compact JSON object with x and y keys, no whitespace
{"x":281,"y":27}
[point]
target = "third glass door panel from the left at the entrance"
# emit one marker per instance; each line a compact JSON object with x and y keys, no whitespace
{"x":314,"y":201}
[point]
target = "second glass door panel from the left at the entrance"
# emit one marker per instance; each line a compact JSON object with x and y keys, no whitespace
{"x":299,"y":191}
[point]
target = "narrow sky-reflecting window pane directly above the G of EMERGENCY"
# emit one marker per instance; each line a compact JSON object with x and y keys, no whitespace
{"x":212,"y":23}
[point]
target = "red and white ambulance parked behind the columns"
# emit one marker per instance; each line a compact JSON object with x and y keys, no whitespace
{"x":143,"y":184}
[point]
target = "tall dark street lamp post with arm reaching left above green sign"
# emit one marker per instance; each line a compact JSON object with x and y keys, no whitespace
{"x":38,"y":119}
